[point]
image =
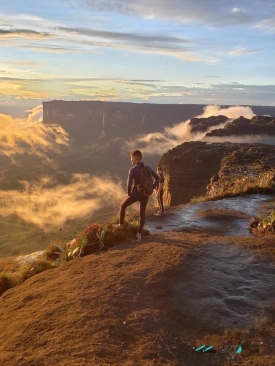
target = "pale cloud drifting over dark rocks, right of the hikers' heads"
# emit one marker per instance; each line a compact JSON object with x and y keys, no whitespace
{"x":159,"y":143}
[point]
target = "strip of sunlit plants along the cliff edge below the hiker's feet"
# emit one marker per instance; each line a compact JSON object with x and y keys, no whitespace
{"x":93,"y":239}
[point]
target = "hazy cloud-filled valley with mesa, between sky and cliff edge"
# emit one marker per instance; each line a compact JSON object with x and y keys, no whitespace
{"x":78,"y":140}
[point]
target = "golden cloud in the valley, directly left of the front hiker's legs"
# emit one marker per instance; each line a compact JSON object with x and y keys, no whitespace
{"x":50,"y":206}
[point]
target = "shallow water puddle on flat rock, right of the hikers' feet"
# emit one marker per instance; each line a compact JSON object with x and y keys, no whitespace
{"x":229,"y":217}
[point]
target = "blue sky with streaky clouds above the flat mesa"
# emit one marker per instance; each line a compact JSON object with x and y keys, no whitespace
{"x":182,"y":52}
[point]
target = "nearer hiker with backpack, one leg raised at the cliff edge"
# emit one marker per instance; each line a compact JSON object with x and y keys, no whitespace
{"x":135,"y":192}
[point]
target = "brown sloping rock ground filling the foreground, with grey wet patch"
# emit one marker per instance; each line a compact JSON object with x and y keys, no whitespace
{"x":147,"y":304}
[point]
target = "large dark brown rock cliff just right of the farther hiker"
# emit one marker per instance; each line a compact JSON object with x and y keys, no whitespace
{"x":189,"y":167}
